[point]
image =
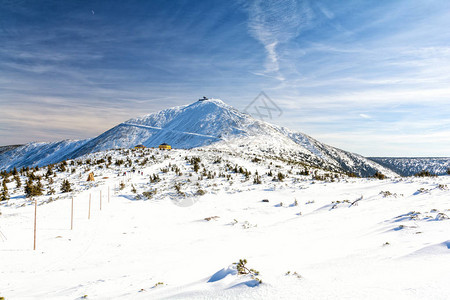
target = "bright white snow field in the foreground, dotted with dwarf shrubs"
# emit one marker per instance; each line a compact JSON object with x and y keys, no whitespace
{"x":346,"y":238}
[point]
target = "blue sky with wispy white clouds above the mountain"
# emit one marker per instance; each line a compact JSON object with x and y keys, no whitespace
{"x":370,"y":77}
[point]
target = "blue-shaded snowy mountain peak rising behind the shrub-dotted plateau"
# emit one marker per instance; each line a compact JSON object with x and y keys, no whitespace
{"x":199,"y":124}
